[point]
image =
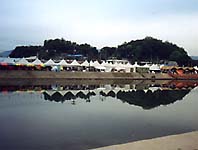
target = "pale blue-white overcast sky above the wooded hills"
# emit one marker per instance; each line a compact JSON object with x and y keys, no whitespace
{"x":98,"y":22}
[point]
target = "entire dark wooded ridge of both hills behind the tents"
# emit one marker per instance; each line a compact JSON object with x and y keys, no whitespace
{"x":148,"y":49}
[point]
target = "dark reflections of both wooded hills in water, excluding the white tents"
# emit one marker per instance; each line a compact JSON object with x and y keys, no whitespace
{"x":146,"y":100}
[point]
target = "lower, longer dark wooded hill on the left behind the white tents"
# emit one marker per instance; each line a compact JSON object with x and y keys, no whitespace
{"x":55,"y":48}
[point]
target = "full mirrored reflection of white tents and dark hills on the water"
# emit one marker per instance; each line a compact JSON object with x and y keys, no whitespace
{"x":147,"y":96}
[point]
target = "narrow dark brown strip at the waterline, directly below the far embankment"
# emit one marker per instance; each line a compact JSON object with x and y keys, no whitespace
{"x":63,"y":82}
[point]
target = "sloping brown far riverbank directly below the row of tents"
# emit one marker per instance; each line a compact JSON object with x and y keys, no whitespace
{"x":81,"y":75}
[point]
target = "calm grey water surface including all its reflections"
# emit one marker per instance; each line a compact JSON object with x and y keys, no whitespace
{"x":84,"y":117}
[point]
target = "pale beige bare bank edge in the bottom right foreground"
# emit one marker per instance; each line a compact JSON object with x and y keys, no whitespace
{"x":187,"y":141}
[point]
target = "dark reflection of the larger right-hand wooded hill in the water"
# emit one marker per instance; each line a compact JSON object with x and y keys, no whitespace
{"x":150,"y":99}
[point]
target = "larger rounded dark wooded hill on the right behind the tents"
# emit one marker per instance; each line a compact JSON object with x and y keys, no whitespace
{"x":149,"y":49}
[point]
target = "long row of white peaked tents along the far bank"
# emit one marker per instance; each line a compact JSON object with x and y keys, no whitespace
{"x":104,"y":66}
